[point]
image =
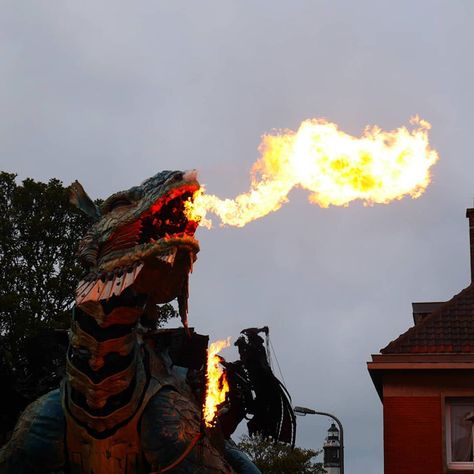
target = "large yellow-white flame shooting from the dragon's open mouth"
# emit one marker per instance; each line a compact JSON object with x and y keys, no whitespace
{"x":335,"y":167}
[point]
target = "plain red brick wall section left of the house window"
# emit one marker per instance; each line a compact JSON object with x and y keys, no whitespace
{"x":412,"y":435}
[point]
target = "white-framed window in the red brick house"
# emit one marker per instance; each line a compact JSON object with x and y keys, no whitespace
{"x":459,"y":433}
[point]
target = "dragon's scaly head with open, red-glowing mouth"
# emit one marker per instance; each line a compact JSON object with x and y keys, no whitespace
{"x":141,"y":239}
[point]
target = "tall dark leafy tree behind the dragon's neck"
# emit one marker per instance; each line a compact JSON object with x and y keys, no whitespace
{"x":39,"y":233}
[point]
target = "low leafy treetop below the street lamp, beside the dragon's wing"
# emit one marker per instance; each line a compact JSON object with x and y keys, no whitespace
{"x":273,"y":457}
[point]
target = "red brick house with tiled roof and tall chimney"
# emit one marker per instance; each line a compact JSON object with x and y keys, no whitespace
{"x":425,"y":380}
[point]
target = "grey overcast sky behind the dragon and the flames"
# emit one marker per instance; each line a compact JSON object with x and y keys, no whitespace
{"x":110,"y":92}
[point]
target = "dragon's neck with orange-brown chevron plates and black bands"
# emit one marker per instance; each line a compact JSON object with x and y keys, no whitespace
{"x":105,"y":372}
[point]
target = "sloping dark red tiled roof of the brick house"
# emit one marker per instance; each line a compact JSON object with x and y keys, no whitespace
{"x":449,"y":329}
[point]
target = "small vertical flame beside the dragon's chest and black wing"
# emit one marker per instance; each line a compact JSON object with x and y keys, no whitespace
{"x":217,"y":385}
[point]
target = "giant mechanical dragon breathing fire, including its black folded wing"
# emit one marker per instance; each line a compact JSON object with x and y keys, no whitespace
{"x":132,"y":397}
